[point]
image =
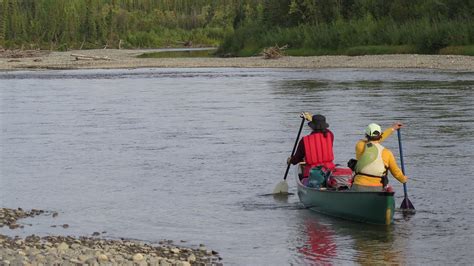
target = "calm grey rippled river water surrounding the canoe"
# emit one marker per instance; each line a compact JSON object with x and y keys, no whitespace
{"x":188,"y":154}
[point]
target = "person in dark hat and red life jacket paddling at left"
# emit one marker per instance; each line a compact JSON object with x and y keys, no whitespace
{"x":316,"y":148}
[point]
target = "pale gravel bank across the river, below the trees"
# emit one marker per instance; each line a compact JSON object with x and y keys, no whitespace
{"x":120,"y":59}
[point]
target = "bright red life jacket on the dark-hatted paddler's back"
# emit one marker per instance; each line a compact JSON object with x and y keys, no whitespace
{"x":318,"y":151}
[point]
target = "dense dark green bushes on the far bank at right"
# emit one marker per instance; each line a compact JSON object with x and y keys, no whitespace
{"x":354,"y":37}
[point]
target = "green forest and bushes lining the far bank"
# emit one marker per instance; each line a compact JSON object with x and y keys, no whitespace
{"x":242,"y":27}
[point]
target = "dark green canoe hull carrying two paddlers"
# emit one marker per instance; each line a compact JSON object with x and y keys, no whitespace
{"x":368,"y":207}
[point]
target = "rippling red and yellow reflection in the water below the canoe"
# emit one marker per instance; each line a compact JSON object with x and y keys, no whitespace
{"x":337,"y":241}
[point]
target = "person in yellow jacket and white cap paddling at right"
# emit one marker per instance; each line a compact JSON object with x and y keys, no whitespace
{"x":374,"y":160}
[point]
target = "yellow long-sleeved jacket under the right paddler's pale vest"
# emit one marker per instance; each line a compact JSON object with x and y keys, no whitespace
{"x":388,"y":160}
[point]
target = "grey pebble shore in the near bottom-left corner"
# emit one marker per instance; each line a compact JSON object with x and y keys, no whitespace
{"x":69,"y":250}
